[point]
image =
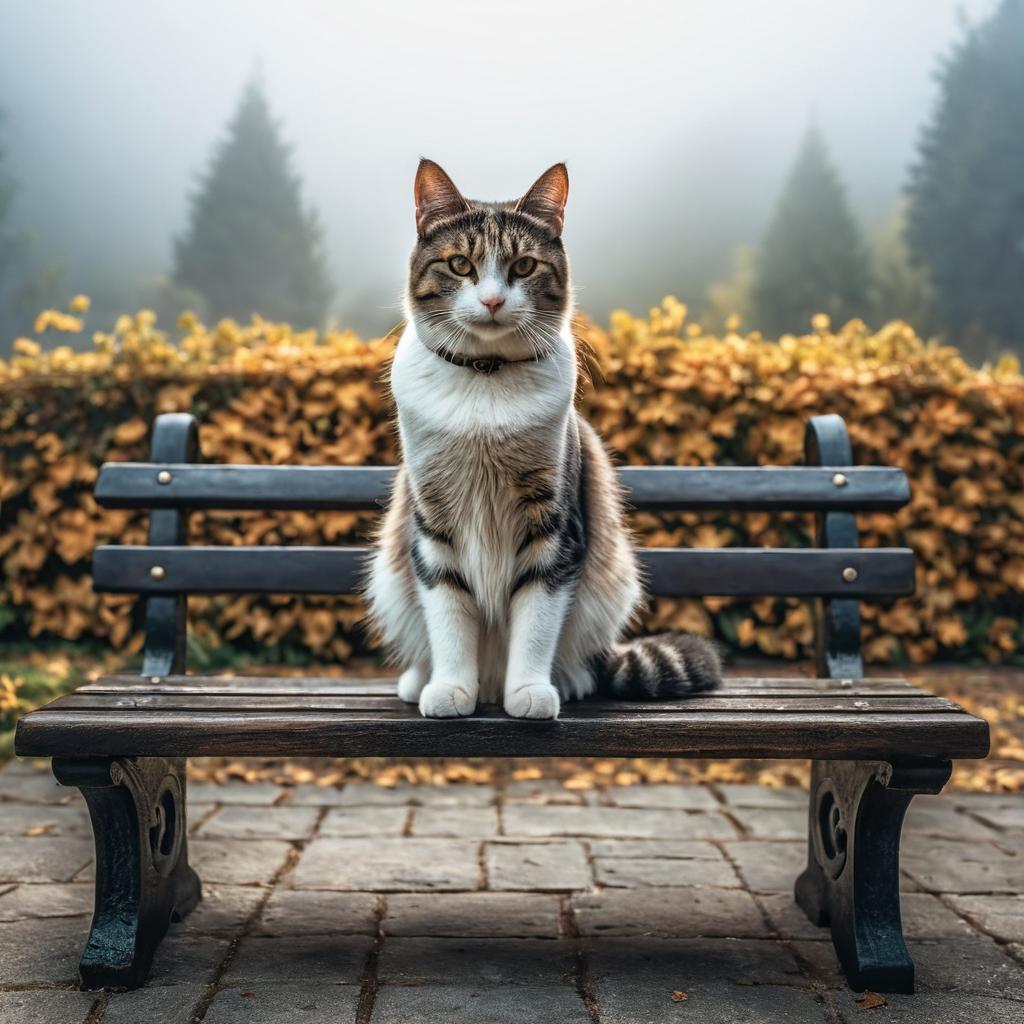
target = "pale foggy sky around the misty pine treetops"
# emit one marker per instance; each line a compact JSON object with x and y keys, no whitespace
{"x":678,"y":121}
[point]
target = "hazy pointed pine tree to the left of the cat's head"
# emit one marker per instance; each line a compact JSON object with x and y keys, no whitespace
{"x":251,"y":247}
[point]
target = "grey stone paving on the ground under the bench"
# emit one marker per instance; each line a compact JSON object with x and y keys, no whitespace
{"x":529,"y":904}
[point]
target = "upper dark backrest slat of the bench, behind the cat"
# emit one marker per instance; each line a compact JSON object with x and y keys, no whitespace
{"x":681,"y":488}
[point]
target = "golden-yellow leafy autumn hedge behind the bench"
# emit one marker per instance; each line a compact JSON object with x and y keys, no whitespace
{"x":663,"y":392}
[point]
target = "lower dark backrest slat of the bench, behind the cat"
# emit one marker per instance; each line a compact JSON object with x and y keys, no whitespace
{"x":670,"y":572}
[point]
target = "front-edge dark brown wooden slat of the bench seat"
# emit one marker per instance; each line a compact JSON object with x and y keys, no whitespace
{"x":113,"y":733}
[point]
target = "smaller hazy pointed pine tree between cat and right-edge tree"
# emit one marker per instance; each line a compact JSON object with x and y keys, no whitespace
{"x":813,"y":259}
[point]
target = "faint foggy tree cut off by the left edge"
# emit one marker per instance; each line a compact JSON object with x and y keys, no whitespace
{"x":26,"y":287}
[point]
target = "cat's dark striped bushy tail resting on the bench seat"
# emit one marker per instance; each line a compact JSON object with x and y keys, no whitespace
{"x":659,"y":668}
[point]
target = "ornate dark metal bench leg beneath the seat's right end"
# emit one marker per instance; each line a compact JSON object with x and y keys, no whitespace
{"x":852,"y":877}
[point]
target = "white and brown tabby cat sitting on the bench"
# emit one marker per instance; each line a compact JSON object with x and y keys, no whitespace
{"x":504,"y":572}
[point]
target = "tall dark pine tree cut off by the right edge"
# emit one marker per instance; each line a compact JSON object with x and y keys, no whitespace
{"x":967,"y":189}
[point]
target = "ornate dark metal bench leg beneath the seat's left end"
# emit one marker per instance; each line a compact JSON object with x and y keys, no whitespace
{"x":144,"y":881}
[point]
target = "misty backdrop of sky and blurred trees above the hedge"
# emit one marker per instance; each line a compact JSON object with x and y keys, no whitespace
{"x":772,"y":161}
